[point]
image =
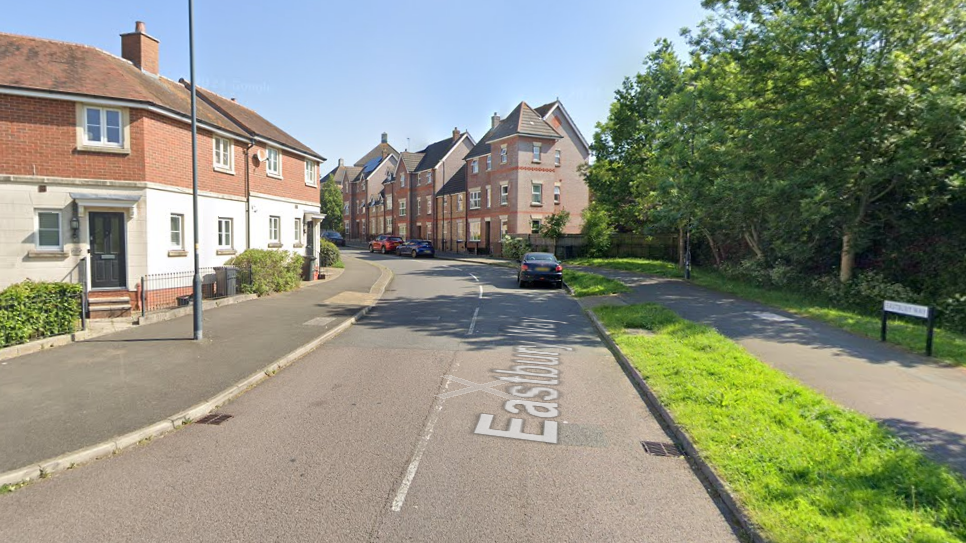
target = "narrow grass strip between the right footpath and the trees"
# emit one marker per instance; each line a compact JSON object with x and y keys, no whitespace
{"x":947,"y":346}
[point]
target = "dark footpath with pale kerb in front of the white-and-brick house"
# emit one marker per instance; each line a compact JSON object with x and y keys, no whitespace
{"x":89,"y":393}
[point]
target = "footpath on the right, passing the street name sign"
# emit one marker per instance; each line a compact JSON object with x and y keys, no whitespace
{"x":922,"y":401}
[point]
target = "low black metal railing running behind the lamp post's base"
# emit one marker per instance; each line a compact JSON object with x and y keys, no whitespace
{"x":169,"y":290}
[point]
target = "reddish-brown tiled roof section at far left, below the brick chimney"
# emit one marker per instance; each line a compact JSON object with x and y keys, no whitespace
{"x":53,"y":66}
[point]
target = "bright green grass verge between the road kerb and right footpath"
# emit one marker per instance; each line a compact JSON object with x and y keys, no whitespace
{"x":805,"y":469}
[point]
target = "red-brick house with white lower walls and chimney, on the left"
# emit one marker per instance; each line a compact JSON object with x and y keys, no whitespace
{"x":96,"y":177}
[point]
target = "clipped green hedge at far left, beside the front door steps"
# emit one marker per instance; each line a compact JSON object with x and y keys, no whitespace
{"x":31,"y":310}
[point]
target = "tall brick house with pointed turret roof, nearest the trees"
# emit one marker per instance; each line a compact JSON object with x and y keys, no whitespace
{"x":522,"y":170}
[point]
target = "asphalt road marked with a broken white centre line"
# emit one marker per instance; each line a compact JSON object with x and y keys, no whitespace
{"x":354,"y":442}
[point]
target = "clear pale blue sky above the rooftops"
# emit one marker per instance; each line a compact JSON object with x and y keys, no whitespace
{"x":336,"y":75}
